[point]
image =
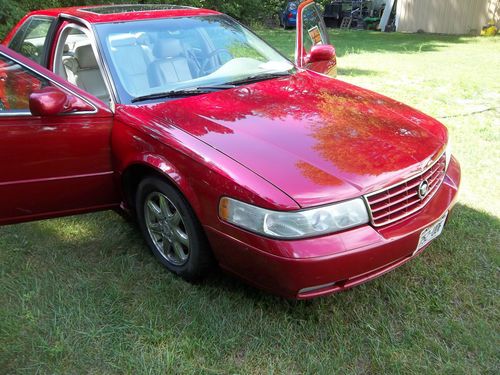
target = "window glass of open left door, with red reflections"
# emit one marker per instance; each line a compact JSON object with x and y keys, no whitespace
{"x":16,"y":85}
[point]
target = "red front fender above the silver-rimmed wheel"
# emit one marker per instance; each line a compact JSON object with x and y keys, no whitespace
{"x":200,"y":172}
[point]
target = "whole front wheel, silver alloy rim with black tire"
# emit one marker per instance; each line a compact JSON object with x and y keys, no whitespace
{"x":172,"y":230}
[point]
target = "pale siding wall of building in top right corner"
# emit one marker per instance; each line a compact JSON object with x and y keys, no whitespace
{"x":446,"y":16}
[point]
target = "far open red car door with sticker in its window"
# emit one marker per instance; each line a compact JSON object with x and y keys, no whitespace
{"x":313,"y":49}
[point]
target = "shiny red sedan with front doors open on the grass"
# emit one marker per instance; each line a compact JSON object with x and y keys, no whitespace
{"x":224,"y":151}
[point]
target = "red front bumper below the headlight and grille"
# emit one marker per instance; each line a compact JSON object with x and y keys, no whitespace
{"x":315,"y":267}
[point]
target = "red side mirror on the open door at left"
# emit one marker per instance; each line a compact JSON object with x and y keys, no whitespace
{"x":51,"y":101}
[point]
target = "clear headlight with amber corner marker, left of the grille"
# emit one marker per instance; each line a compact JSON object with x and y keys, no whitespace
{"x":295,"y":224}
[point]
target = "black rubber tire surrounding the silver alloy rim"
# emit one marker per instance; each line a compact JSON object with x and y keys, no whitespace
{"x":199,"y":256}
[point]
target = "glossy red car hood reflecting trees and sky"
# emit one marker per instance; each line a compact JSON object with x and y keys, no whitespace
{"x":317,"y":139}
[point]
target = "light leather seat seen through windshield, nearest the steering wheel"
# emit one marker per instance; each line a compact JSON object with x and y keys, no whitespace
{"x":171,"y":64}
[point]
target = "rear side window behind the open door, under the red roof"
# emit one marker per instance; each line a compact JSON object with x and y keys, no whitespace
{"x":31,"y":39}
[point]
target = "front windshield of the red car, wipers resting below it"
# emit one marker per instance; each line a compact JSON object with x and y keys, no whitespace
{"x":188,"y":53}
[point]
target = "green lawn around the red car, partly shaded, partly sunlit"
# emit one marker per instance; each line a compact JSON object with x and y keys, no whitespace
{"x":84,"y":295}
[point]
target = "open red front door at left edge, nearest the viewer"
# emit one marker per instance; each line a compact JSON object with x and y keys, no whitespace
{"x":51,"y":165}
